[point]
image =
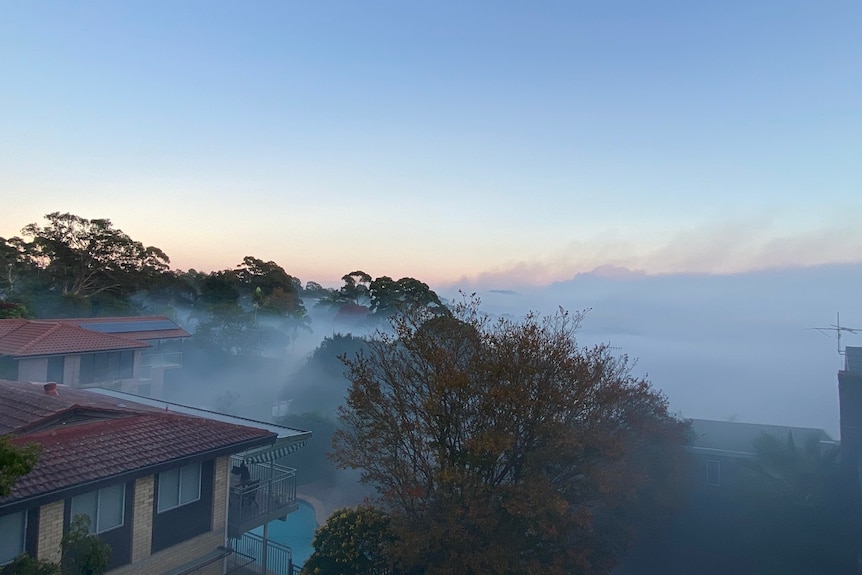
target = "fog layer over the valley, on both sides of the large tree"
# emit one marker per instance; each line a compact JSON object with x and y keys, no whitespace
{"x":741,"y":347}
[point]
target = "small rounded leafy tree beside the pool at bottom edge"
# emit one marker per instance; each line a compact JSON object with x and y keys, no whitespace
{"x":351,"y":542}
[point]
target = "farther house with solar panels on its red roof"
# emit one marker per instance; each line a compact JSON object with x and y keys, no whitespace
{"x":129,"y":353}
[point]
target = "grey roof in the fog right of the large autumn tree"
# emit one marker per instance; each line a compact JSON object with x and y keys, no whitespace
{"x":733,"y":437}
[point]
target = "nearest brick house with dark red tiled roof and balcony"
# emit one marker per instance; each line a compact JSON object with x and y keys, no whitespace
{"x":156,"y":483}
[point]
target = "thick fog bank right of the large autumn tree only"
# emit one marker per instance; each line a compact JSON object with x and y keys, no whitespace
{"x":737,"y":346}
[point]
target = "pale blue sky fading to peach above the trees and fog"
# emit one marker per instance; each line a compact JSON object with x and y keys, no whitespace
{"x":501,"y":141}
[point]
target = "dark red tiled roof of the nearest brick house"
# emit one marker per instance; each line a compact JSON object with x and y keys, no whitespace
{"x":108,"y":439}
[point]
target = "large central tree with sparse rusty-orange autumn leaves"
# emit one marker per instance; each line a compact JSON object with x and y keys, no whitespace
{"x":503,"y":447}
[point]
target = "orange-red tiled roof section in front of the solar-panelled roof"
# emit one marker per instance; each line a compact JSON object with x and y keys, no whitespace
{"x":27,"y":338}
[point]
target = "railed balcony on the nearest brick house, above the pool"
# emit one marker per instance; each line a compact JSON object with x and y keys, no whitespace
{"x":268,"y":493}
